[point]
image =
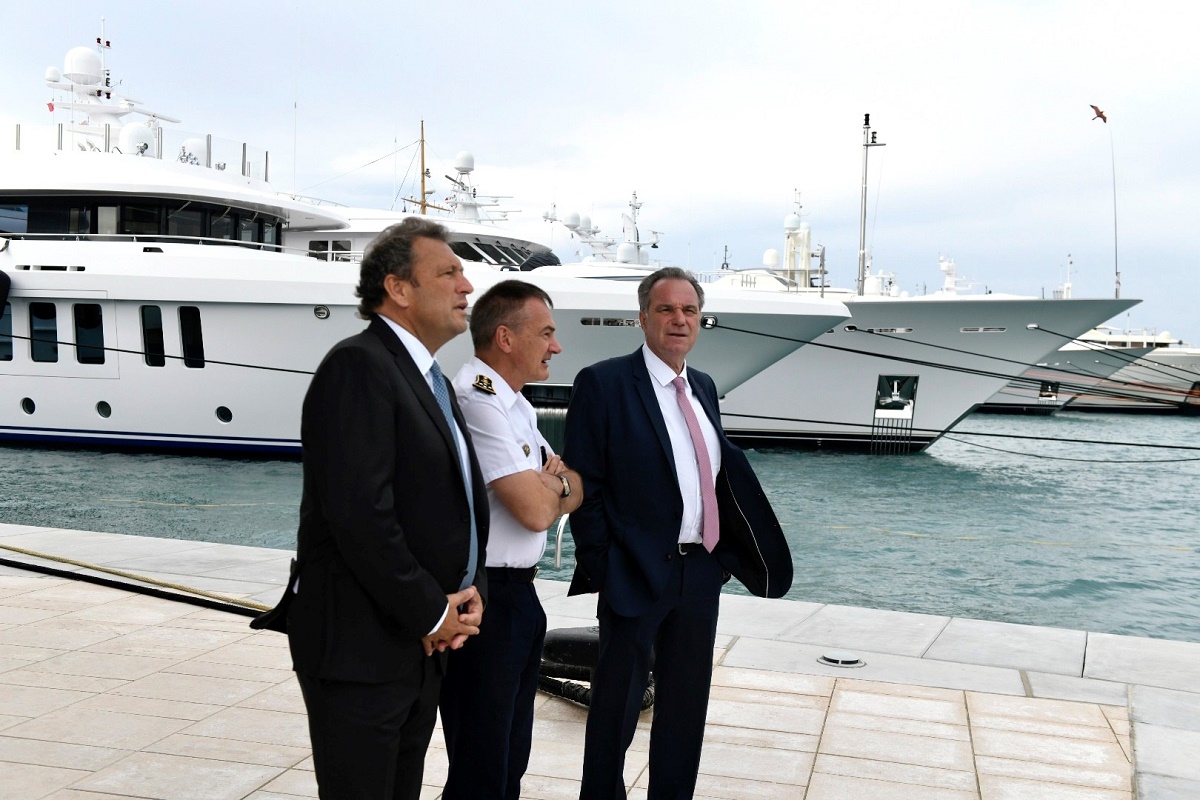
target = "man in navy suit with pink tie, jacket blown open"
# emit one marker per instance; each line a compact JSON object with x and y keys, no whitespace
{"x":645,"y":434}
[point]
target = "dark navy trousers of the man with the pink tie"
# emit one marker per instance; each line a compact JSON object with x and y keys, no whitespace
{"x":679,"y":634}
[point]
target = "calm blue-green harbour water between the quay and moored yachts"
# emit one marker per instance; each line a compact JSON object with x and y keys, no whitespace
{"x":1053,"y":533}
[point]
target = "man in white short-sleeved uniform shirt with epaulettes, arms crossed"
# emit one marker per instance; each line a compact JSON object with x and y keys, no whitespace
{"x":490,"y":685}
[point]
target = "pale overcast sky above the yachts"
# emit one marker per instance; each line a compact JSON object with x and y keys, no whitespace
{"x":715,"y":113}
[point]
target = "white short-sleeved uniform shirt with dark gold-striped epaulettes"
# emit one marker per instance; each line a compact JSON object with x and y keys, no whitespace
{"x":505,"y":430}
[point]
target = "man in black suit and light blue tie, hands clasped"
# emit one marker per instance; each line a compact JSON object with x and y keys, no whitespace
{"x":393,"y":525}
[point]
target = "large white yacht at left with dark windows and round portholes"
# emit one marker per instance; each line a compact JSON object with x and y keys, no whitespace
{"x":155,"y":302}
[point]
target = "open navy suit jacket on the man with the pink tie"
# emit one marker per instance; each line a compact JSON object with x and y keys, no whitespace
{"x":629,"y":521}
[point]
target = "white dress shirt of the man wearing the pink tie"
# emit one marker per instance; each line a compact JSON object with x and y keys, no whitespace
{"x":687,"y":468}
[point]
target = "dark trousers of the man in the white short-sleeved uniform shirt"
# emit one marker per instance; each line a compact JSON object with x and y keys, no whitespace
{"x":488,"y":696}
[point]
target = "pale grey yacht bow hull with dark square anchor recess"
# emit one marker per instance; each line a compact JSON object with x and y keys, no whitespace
{"x":904,"y":371}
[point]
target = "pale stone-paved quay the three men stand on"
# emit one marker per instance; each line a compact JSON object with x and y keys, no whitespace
{"x":110,"y":694}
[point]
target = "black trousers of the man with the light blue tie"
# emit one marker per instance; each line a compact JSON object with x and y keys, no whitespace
{"x":369,"y":741}
